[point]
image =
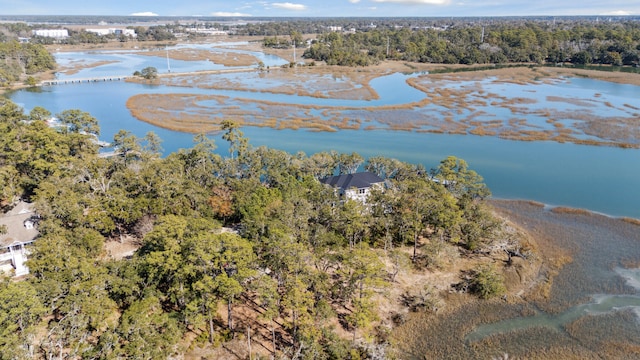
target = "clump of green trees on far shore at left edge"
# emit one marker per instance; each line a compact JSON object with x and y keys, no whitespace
{"x":20,"y":60}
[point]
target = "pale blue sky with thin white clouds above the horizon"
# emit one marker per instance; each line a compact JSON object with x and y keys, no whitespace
{"x":322,"y":8}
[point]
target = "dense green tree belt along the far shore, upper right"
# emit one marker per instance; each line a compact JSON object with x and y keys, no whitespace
{"x":532,"y":42}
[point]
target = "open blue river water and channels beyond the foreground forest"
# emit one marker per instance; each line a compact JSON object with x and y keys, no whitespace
{"x":602,"y":179}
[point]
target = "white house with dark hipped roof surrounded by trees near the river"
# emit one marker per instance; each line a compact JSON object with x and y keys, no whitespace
{"x":355,"y":186}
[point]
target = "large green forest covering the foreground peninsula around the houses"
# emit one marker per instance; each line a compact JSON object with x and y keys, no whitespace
{"x":226,"y":245}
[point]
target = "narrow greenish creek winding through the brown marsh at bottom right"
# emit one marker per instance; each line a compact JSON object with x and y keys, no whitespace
{"x":601,"y":304}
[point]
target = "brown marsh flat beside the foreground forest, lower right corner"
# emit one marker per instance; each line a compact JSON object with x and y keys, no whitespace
{"x":595,"y":246}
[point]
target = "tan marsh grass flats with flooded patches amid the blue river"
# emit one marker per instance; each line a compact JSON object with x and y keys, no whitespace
{"x":444,"y":109}
